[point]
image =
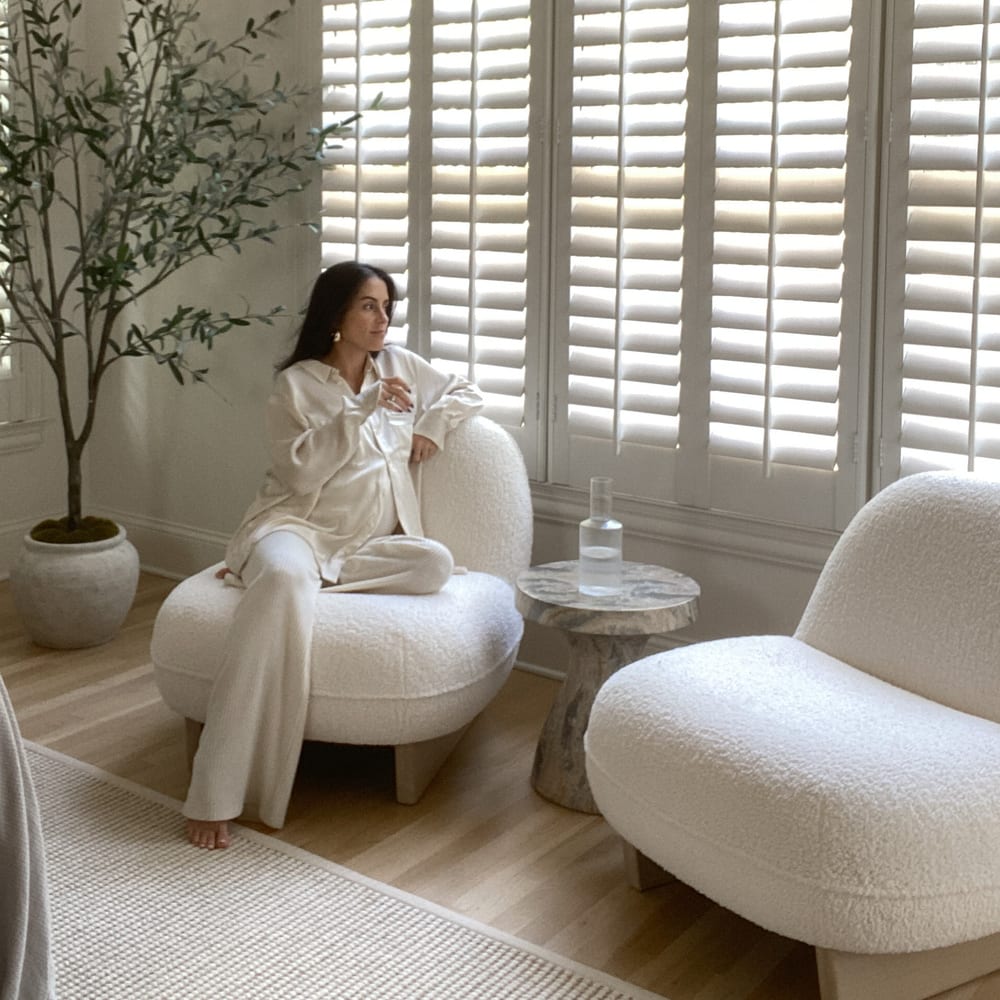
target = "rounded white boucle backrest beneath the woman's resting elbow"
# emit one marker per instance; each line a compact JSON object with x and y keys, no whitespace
{"x":474,"y":497}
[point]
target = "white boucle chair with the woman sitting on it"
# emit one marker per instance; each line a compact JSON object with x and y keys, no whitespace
{"x":410,"y":672}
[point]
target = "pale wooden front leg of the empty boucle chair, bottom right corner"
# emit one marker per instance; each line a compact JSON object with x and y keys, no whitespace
{"x":913,"y":976}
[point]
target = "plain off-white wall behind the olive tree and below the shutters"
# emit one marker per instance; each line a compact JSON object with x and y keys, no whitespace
{"x":177,"y":466}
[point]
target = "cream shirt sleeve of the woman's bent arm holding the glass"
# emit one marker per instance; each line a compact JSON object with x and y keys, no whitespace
{"x":308,"y":447}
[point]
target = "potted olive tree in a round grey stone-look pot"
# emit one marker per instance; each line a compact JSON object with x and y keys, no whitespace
{"x":112,"y":180}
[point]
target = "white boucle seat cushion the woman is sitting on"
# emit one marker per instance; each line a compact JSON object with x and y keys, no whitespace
{"x":386,"y":669}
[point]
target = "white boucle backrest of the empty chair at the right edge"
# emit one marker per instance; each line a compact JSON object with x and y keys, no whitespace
{"x":911,"y":591}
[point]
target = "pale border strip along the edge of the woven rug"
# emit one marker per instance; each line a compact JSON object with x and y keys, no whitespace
{"x":418,"y":902}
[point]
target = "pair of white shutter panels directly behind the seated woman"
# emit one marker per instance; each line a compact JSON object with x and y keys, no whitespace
{"x":437,"y":186}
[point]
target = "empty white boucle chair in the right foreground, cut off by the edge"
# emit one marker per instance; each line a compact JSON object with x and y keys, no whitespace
{"x":840,"y":786}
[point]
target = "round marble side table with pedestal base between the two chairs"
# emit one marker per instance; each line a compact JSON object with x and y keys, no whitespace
{"x":604,"y":634}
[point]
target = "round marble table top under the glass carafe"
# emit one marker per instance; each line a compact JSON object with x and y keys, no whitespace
{"x":653,"y":600}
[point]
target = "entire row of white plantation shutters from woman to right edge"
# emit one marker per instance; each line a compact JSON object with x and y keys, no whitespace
{"x":648,"y":229}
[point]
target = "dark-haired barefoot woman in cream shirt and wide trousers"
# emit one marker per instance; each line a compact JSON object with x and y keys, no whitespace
{"x":337,"y":511}
